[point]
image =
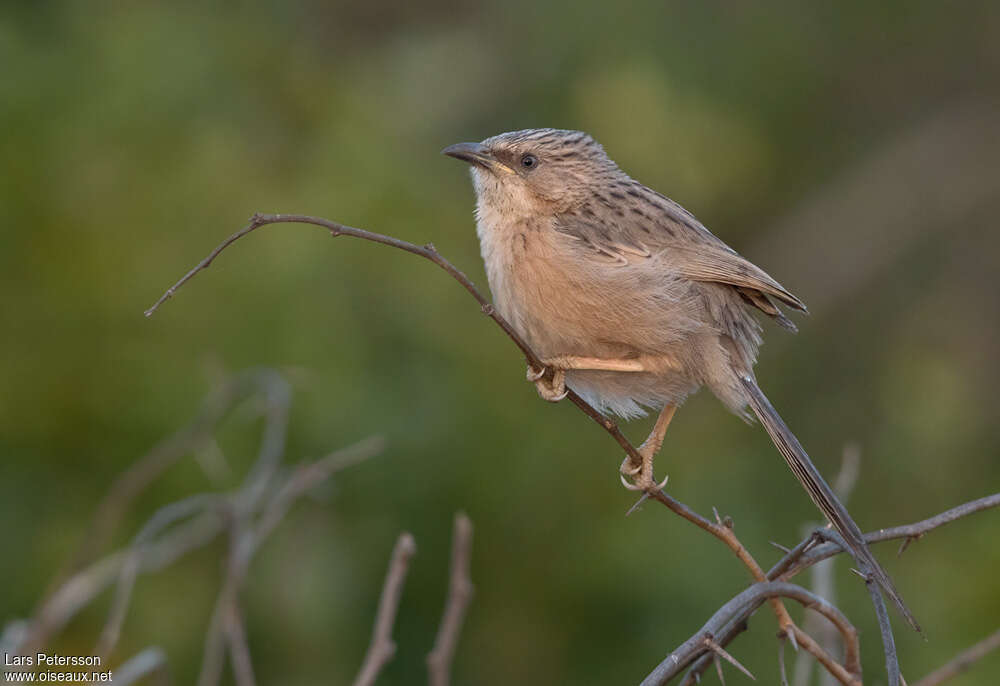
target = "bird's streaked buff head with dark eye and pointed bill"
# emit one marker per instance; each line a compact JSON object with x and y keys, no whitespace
{"x":535,"y":171}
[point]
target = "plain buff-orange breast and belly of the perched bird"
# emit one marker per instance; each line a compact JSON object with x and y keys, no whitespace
{"x":562,"y":308}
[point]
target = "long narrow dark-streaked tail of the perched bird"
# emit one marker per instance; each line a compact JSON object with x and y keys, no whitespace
{"x":821,"y":493}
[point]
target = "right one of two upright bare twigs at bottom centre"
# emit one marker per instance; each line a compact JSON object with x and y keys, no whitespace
{"x":459,"y":594}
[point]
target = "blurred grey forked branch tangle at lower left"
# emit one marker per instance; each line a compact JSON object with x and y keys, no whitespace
{"x":250,"y":514}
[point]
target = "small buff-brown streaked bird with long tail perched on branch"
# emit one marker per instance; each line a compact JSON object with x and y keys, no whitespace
{"x":628,"y":299}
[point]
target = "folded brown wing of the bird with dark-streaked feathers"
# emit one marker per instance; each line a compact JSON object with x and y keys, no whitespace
{"x":638,"y":223}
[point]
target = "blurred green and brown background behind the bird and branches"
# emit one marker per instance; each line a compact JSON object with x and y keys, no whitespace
{"x":851,"y":149}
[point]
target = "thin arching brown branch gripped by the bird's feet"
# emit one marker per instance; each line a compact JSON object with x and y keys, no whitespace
{"x":806,"y":553}
